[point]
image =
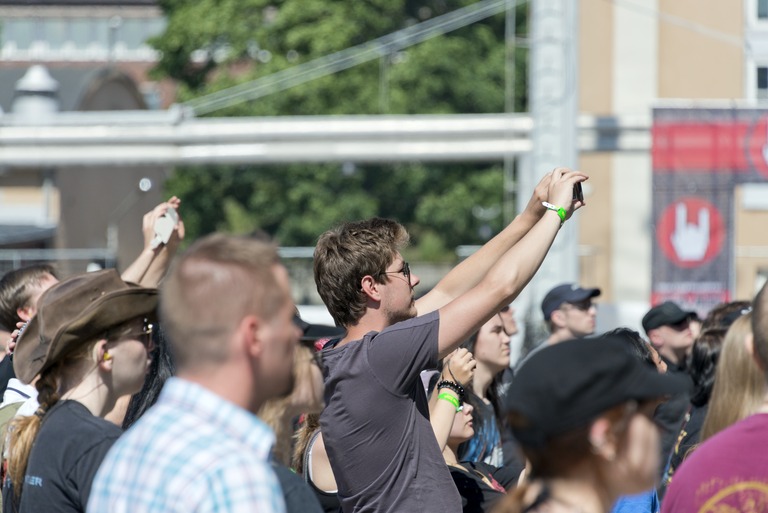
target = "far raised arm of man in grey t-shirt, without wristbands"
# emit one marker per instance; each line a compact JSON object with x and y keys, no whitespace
{"x":469,"y":272}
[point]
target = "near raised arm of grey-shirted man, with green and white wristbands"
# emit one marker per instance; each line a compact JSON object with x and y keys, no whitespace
{"x":507,"y":277}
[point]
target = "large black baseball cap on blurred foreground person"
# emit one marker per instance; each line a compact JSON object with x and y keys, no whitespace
{"x":566,"y":386}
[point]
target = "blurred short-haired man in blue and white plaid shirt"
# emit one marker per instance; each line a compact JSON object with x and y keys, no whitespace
{"x":227,"y":310}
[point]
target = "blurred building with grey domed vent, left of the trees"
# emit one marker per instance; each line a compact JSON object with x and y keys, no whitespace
{"x":95,"y":56}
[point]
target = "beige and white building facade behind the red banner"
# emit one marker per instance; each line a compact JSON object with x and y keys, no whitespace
{"x":636,"y":56}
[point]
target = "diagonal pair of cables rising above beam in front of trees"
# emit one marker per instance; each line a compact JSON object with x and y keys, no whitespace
{"x":348,"y":58}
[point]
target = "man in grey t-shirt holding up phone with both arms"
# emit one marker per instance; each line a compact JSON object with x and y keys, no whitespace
{"x":376,"y":423}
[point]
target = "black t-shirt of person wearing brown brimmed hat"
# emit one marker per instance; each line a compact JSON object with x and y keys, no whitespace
{"x":66,"y":453}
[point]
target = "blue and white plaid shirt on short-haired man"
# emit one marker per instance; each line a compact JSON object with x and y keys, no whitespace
{"x":192,"y":451}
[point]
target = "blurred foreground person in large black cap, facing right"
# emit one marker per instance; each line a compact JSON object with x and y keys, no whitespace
{"x":582,"y":413}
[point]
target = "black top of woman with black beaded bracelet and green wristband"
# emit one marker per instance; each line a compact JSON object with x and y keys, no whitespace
{"x":476,"y":495}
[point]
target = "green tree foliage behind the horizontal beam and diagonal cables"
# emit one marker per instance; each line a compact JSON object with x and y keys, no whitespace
{"x":213,"y":44}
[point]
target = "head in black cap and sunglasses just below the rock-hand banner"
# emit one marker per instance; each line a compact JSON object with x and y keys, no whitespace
{"x":669,"y":329}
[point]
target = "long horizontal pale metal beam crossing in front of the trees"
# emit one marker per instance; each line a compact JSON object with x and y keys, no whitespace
{"x":112,"y":139}
